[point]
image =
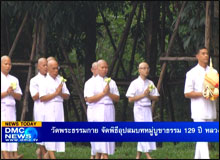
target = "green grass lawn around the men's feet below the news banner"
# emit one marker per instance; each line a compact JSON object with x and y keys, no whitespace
{"x":183,"y":150}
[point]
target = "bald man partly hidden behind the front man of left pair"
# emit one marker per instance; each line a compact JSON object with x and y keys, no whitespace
{"x":38,"y":105}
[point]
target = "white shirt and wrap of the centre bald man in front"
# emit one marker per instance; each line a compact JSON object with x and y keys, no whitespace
{"x":103,"y":110}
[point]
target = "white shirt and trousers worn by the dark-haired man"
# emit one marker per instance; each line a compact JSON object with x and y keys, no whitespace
{"x":202,"y":110}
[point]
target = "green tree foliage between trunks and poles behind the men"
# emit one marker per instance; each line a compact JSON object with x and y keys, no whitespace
{"x":66,"y":22}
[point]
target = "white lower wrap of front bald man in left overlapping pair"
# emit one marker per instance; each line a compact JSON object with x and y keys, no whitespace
{"x":54,"y":113}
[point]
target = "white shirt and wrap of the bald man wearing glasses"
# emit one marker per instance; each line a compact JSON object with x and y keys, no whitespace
{"x":142,"y":108}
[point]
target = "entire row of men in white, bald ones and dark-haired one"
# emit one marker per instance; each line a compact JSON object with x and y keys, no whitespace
{"x":48,"y":92}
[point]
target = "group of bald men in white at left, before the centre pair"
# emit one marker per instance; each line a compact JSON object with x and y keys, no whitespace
{"x":47,"y":91}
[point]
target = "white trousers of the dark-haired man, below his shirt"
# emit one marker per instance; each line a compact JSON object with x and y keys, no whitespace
{"x":202,"y":148}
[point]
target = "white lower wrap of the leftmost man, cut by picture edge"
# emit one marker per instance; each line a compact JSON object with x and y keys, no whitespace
{"x":8,"y":113}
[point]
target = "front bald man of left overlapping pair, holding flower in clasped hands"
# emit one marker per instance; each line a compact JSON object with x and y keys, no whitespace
{"x":52,"y":93}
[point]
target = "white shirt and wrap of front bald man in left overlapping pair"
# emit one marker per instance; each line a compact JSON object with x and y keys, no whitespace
{"x":53,"y":108}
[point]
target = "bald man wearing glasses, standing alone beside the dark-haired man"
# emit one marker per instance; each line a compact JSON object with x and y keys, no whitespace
{"x":139,"y":93}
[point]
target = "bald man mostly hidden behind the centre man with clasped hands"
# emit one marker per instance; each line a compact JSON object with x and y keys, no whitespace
{"x":91,"y":106}
